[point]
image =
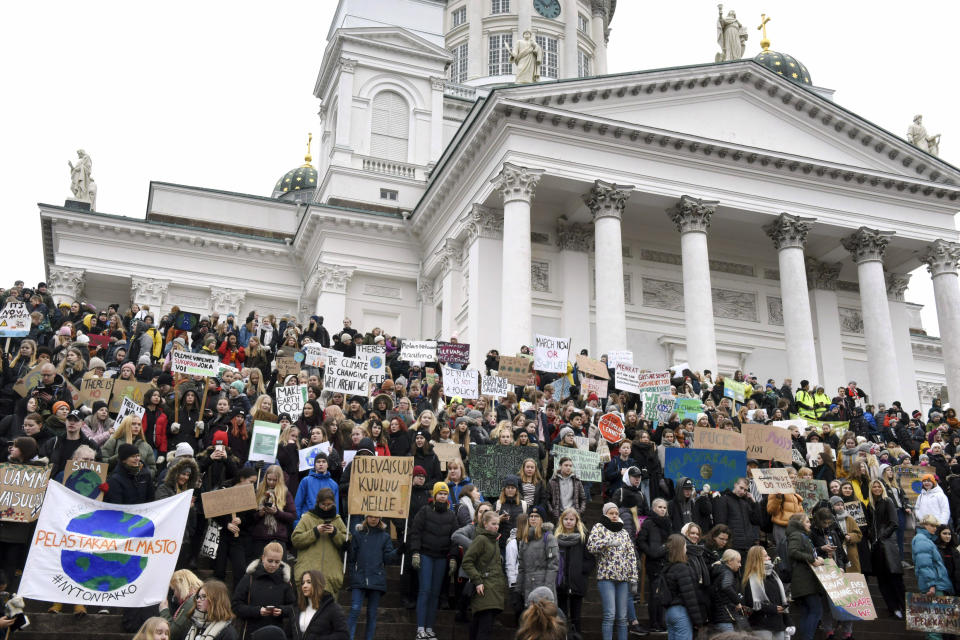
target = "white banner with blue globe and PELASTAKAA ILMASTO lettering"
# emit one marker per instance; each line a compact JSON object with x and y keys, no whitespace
{"x":113,"y":555}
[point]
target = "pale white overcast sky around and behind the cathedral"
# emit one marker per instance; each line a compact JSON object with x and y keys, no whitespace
{"x":219,"y":94}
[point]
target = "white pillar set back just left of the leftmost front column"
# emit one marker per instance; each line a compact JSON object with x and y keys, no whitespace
{"x":484,"y":233}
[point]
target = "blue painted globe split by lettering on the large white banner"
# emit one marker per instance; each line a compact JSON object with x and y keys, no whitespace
{"x":106,"y":571}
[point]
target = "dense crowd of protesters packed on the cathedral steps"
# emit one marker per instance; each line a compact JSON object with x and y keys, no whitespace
{"x":698,"y":560}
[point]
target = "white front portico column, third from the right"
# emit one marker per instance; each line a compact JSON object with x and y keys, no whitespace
{"x":789,"y":235}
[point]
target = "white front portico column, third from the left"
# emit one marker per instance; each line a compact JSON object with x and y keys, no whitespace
{"x":692,"y":218}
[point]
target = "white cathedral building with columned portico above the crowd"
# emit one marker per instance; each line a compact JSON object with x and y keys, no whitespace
{"x":729,"y":215}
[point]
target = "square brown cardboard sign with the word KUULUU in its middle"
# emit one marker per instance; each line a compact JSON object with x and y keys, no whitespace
{"x":380,"y":486}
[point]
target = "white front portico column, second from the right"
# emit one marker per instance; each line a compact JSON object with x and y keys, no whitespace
{"x":867,"y":247}
